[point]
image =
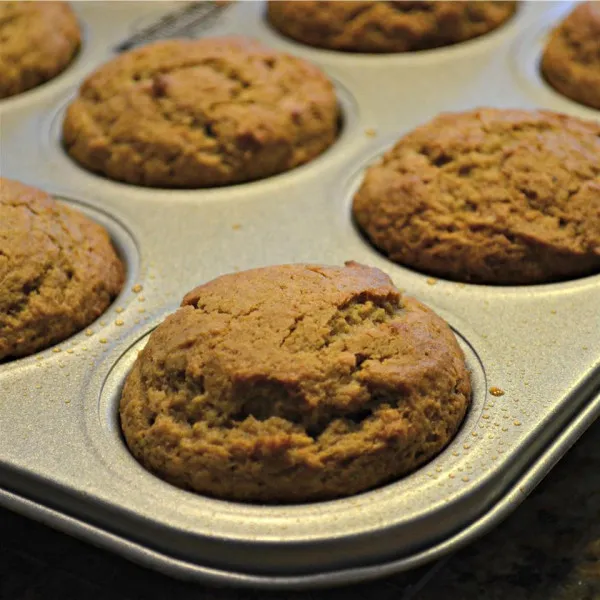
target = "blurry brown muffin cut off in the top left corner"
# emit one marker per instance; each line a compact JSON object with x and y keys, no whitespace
{"x":38,"y":40}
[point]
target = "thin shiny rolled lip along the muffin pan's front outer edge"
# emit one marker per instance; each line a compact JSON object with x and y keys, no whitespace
{"x":177,"y":567}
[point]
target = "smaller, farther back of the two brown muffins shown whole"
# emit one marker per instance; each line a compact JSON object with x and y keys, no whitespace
{"x":201,"y":113}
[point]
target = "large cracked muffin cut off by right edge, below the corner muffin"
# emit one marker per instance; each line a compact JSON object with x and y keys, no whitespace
{"x":489,"y":196}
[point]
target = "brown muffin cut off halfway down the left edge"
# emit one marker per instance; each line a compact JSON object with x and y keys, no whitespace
{"x":58,"y":270}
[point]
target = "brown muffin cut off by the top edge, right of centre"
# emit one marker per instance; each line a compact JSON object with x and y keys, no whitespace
{"x":368,"y":26}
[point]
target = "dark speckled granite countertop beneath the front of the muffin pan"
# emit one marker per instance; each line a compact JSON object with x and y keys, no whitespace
{"x":549,"y":549}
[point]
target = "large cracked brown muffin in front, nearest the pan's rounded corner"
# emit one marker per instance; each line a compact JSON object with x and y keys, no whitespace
{"x":294,"y":383}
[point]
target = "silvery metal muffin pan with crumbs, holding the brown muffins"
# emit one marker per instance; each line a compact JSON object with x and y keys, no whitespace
{"x":62,"y":458}
